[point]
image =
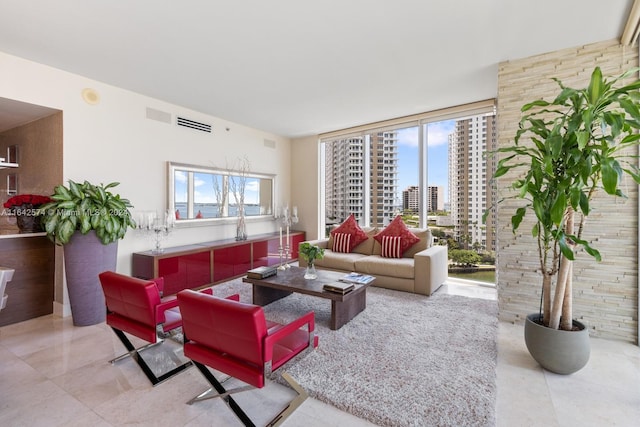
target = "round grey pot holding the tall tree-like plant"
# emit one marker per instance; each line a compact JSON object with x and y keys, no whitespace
{"x":562,"y":352}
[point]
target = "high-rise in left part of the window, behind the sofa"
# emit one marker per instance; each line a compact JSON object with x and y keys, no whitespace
{"x":348,"y":190}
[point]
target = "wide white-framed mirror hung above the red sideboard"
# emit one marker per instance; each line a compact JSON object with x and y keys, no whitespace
{"x":199,"y":194}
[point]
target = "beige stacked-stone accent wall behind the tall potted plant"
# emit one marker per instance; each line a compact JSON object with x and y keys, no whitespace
{"x":605,"y":293}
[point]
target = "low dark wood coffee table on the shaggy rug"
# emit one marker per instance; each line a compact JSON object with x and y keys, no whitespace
{"x":343,"y":307}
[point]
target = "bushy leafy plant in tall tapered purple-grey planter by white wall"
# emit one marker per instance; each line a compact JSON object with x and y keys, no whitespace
{"x":88,"y":220}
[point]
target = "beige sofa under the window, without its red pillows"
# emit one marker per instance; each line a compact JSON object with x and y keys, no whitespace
{"x":421,"y":270}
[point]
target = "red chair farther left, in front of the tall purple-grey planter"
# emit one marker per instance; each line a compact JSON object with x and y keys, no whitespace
{"x":135,"y":306}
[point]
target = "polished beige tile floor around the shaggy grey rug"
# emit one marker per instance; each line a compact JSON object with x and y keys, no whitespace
{"x":54,"y":374}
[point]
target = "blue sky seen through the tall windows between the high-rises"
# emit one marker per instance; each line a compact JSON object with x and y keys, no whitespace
{"x":437,"y":152}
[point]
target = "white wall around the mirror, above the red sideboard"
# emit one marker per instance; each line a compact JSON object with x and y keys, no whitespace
{"x":114,"y":141}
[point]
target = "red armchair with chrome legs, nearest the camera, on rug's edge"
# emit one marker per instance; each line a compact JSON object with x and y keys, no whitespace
{"x":235,"y":338}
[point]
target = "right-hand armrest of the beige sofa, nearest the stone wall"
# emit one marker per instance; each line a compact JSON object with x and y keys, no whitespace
{"x":431,"y":269}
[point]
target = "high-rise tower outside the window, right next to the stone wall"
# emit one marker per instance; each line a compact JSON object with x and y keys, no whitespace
{"x":470,"y":172}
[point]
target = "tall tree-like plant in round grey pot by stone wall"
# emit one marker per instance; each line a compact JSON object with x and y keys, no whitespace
{"x":567,"y":150}
